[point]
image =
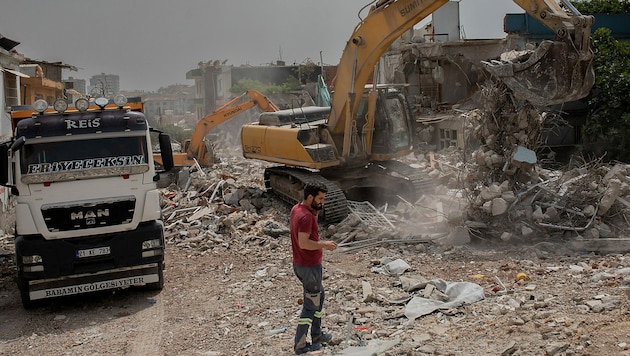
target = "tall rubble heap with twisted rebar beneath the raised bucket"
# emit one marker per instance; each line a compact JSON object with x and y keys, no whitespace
{"x":509,"y":192}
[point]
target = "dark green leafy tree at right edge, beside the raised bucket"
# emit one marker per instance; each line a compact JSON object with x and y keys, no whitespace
{"x":609,"y":120}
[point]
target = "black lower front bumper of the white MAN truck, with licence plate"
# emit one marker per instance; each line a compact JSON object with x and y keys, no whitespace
{"x":52,"y":268}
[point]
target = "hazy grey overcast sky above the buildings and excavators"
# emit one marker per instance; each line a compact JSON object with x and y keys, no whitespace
{"x":153,"y":43}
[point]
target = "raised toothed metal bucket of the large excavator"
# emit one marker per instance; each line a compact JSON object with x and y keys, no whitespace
{"x":552,"y":74}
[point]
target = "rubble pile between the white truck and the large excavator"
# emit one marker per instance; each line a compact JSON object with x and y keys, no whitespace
{"x":222,"y":208}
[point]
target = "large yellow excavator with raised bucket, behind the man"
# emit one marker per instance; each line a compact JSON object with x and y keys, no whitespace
{"x":352,"y":145}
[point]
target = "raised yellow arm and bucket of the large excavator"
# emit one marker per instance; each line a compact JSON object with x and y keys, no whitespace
{"x":558,"y":71}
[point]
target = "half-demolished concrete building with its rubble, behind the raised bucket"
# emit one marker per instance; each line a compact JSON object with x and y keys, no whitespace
{"x":504,"y":154}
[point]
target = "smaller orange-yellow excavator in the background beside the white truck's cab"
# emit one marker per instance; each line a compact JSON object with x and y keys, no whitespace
{"x":197,"y":148}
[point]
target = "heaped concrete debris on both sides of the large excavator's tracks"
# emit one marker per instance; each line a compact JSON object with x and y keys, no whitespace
{"x":509,"y":198}
